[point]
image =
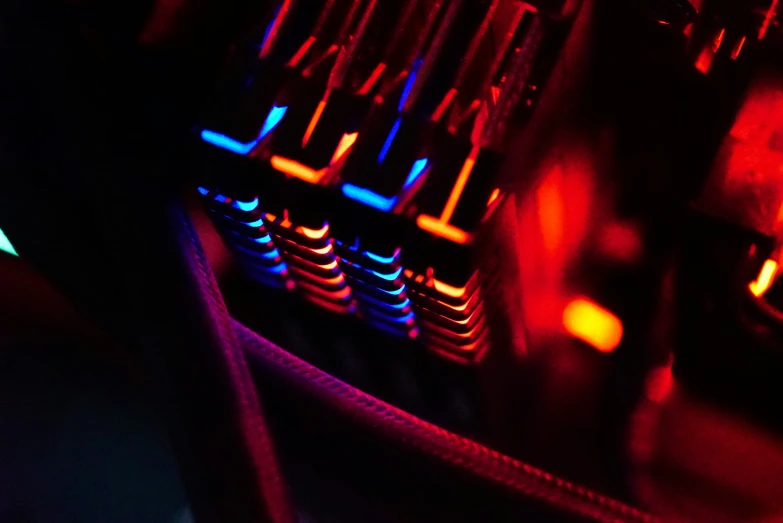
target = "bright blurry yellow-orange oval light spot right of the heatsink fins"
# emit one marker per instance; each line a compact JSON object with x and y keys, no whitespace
{"x":593,"y":324}
